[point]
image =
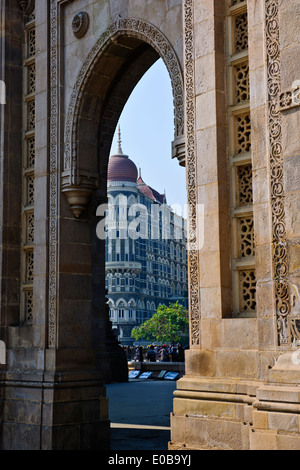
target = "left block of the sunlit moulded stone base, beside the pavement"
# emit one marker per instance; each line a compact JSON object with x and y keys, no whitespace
{"x":211,"y":413}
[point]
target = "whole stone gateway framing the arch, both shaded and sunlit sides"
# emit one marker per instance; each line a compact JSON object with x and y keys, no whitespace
{"x":68,"y":69}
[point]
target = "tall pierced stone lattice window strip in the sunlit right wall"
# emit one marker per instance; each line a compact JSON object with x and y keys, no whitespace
{"x":240,"y":158}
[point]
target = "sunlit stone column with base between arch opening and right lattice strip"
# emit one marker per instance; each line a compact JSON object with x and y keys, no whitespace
{"x":223,"y":365}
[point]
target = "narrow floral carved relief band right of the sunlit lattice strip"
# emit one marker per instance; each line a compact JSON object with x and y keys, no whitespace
{"x":280,"y":254}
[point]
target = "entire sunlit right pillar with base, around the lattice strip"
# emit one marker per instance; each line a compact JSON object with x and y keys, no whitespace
{"x":240,"y":390}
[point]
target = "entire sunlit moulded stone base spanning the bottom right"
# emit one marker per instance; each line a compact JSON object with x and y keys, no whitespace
{"x":239,"y":414}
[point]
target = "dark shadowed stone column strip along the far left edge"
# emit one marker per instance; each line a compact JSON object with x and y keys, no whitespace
{"x":11,"y":164}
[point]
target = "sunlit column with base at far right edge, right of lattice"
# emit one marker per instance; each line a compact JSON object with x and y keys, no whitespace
{"x":276,"y":408}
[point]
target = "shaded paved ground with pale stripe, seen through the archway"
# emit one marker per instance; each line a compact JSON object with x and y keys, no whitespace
{"x":140,"y":414}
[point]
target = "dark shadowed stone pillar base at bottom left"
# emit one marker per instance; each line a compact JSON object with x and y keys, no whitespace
{"x":53,"y":411}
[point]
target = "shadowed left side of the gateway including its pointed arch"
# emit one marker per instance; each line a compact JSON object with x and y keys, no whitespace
{"x":61,"y":360}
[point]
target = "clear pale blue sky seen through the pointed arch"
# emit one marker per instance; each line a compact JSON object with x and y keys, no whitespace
{"x":147,"y":127}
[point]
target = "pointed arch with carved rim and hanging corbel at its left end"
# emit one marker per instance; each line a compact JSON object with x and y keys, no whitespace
{"x":87,"y":109}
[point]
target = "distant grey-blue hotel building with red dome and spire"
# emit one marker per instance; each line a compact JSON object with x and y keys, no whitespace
{"x":146,"y":259}
